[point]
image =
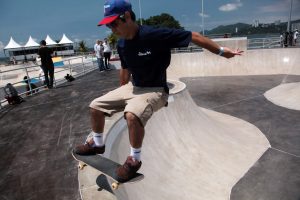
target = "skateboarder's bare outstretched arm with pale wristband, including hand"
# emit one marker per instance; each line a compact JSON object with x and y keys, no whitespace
{"x":213,"y":47}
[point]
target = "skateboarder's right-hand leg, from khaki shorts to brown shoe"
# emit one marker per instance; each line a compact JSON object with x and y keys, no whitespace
{"x":137,"y":112}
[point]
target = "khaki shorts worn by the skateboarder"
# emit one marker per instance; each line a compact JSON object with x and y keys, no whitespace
{"x":141,"y":101}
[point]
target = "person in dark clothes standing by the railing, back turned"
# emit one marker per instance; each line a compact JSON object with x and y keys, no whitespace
{"x":47,"y":65}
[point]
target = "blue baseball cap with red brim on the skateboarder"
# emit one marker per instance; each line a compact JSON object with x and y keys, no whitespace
{"x":113,"y":9}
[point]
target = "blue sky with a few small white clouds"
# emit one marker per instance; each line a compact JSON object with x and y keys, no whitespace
{"x":78,"y":18}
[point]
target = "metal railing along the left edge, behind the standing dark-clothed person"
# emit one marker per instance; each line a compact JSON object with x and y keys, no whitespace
{"x":75,"y":66}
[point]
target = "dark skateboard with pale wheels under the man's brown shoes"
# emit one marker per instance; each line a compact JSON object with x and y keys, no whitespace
{"x":106,"y":166}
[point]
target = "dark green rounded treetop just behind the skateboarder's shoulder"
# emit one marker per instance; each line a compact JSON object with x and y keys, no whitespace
{"x":163,"y":20}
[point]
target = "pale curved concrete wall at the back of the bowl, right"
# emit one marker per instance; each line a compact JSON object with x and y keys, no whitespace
{"x":252,"y":62}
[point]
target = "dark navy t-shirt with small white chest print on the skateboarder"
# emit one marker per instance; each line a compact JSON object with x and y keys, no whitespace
{"x":148,"y":54}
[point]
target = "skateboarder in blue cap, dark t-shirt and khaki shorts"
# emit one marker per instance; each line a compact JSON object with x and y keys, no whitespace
{"x":145,"y":55}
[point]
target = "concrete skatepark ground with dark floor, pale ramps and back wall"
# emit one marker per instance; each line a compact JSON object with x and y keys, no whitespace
{"x":230,"y":132}
